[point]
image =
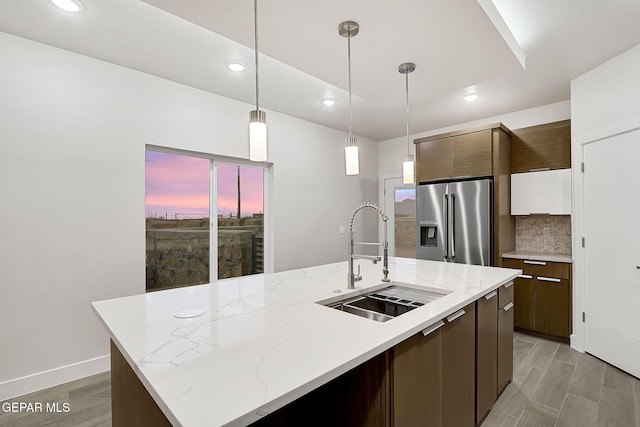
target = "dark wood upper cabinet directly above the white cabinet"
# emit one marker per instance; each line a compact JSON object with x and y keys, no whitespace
{"x":541,"y":147}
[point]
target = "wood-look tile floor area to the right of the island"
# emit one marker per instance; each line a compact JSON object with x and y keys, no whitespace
{"x":554,"y":385}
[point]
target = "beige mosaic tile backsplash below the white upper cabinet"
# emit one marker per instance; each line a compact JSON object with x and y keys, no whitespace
{"x":544,"y":233}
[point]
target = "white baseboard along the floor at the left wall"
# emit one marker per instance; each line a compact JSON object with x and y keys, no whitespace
{"x":41,"y":380}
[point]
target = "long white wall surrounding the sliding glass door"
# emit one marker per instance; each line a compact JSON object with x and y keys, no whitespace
{"x":72,"y":138}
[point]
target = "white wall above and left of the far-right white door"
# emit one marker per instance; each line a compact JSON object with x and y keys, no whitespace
{"x":604,"y":102}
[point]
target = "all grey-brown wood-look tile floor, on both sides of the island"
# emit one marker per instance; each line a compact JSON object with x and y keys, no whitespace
{"x":553,"y":385}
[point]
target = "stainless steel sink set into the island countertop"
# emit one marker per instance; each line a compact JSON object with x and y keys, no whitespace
{"x":388,"y":302}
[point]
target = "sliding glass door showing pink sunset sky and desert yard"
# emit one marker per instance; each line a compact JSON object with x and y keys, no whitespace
{"x":194,"y":204}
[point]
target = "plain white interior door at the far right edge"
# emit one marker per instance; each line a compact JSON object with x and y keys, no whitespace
{"x":612,"y":250}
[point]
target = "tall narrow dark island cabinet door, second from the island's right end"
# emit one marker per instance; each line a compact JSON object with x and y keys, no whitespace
{"x":486,"y":354}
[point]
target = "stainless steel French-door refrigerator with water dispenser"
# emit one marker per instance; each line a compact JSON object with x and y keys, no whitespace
{"x":455,"y":222}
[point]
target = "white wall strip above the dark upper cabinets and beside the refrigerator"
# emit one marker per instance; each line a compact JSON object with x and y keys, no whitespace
{"x":390,"y":152}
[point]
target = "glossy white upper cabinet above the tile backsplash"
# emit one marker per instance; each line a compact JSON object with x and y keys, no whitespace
{"x":543,"y":192}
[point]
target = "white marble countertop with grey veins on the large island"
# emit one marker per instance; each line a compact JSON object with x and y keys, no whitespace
{"x":263,"y":341}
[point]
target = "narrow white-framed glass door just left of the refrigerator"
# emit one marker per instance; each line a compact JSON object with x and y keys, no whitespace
{"x":399,"y":206}
